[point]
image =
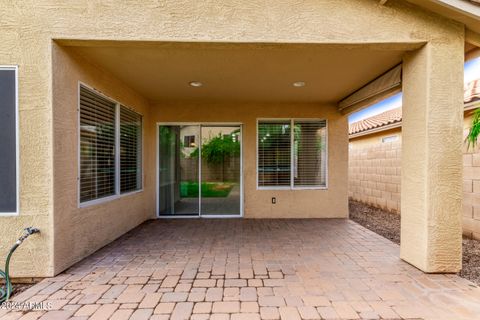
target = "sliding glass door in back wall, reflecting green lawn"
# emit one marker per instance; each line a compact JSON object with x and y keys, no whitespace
{"x":199,"y":170}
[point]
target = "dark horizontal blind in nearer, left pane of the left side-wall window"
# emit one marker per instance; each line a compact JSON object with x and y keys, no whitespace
{"x":97,"y":146}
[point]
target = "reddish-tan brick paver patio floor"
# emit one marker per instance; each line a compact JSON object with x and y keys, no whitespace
{"x":250,"y":269}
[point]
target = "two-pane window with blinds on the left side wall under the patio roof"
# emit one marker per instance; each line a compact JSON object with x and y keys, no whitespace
{"x":110,"y":147}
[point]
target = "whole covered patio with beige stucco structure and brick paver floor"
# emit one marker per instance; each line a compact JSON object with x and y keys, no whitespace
{"x":96,"y":172}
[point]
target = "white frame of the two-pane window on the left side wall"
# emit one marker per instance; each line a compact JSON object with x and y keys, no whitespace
{"x":117,"y":194}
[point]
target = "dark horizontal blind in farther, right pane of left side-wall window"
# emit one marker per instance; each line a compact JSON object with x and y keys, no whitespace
{"x":130,"y":150}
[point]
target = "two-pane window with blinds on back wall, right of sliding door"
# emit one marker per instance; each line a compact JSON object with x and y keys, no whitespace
{"x":292,"y":153}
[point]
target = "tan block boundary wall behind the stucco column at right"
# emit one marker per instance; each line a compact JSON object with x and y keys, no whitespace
{"x":370,"y":188}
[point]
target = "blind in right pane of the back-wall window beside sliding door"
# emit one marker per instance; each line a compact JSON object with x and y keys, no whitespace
{"x":309,"y":153}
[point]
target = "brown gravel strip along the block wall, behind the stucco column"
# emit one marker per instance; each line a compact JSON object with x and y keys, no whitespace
{"x":387,"y":224}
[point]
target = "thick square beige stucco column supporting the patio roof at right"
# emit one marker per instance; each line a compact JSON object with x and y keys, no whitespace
{"x":431,"y":184}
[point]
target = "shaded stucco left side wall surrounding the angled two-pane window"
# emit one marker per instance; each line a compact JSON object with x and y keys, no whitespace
{"x":82,"y":230}
